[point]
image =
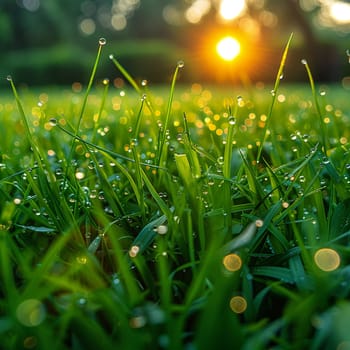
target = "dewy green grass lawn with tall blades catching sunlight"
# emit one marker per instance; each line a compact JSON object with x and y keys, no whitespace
{"x":132,"y":217}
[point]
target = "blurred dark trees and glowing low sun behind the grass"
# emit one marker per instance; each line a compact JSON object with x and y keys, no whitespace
{"x":55,"y":41}
